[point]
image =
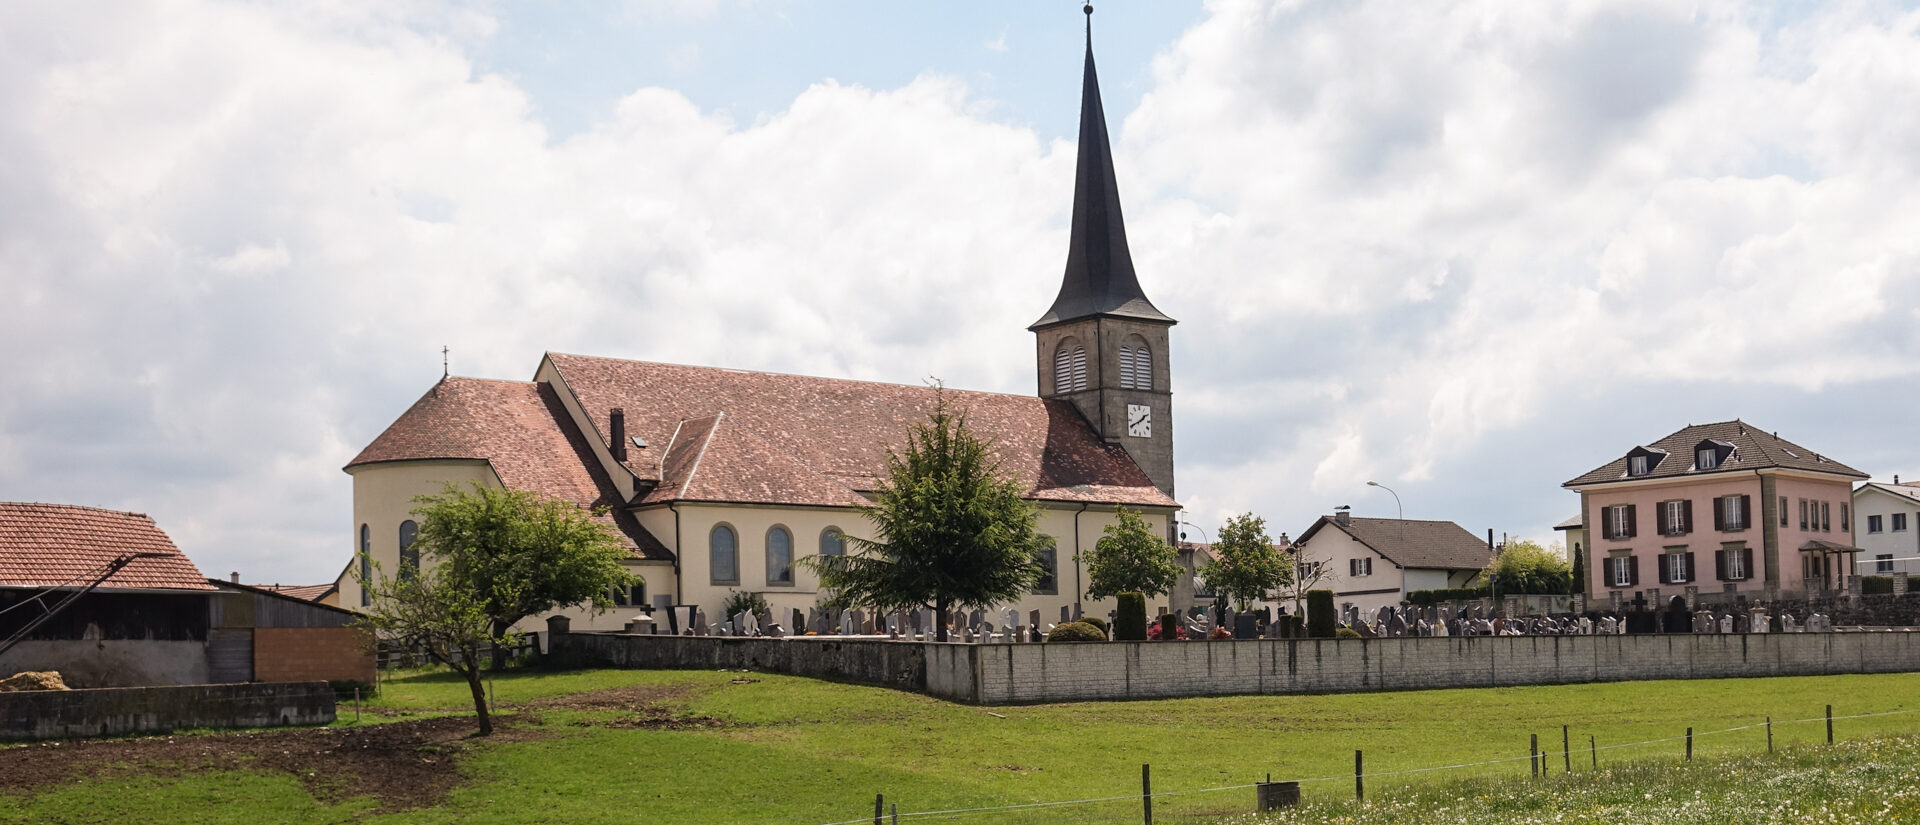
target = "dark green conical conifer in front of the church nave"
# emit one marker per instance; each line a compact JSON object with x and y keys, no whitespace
{"x":951,"y":529}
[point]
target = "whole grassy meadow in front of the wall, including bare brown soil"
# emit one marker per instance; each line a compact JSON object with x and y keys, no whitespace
{"x":704,"y":747}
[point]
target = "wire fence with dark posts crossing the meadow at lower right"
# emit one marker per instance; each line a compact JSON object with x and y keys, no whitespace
{"x":886,"y":814}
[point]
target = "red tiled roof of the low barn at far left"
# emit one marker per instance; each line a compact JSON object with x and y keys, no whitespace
{"x":47,"y":546}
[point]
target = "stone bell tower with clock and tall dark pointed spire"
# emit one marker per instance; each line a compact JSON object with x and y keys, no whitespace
{"x":1103,"y":346}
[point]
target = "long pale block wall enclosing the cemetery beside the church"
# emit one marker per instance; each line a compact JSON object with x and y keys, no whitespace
{"x":1019,"y":674}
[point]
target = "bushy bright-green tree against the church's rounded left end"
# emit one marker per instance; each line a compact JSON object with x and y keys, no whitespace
{"x":519,"y":554}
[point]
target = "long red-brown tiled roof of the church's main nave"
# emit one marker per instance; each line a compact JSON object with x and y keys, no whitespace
{"x":798,"y":440}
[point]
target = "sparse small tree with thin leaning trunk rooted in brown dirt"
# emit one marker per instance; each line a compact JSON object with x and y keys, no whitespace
{"x":437,"y":613}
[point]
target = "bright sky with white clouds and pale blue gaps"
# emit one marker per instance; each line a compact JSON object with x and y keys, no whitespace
{"x":1468,"y":250}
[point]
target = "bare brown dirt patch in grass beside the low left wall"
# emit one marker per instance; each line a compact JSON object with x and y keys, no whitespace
{"x":402,"y":765}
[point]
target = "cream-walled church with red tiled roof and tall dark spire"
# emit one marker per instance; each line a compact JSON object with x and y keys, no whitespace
{"x":721,"y":481}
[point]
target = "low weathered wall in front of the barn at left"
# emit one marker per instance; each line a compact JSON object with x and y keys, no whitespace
{"x":120,"y":711}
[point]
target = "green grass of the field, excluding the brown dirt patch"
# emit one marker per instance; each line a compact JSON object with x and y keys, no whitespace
{"x":775,"y":749}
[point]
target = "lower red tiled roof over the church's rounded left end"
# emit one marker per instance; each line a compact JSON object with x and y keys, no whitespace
{"x":523,"y":431}
